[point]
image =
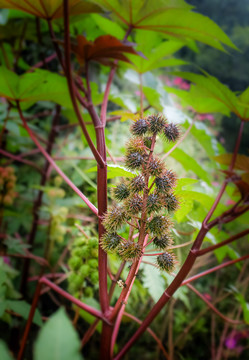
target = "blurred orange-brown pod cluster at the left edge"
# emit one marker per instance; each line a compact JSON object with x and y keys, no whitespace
{"x":7,"y":185}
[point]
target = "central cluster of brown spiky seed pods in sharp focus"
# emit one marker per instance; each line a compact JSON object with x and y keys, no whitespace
{"x":147,"y":199}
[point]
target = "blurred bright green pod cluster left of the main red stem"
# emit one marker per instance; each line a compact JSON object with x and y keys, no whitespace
{"x":83,"y":265}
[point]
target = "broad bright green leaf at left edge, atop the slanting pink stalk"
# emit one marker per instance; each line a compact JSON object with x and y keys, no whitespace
{"x":41,"y":85}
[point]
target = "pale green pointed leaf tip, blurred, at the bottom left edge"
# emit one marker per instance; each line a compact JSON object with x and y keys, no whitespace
{"x":58,"y":339}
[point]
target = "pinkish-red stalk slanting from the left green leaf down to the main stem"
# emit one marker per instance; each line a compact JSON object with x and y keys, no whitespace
{"x":51,"y":161}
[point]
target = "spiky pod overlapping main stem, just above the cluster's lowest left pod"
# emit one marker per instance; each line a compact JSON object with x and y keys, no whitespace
{"x":114,"y":218}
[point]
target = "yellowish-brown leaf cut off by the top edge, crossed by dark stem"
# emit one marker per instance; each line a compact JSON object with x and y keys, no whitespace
{"x":49,"y":9}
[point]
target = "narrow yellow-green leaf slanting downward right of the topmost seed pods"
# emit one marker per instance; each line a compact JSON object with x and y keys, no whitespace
{"x":189,"y":163}
